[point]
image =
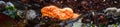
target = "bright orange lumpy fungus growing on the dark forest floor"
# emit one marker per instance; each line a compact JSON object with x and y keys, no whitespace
{"x":62,"y":14}
